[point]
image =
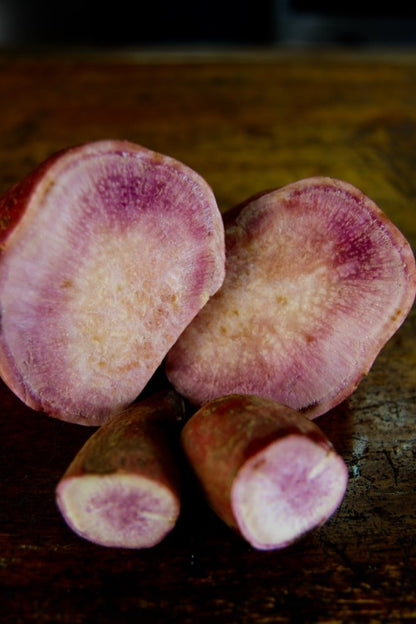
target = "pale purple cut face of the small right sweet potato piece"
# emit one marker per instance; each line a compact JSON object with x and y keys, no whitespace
{"x":287,"y":489}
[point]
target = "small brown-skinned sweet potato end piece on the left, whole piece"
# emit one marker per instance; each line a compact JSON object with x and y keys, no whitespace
{"x":123,"y":487}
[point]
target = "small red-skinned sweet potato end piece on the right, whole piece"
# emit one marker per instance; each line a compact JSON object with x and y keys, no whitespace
{"x":268,"y":471}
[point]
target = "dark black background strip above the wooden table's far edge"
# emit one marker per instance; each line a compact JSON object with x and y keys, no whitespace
{"x":205,"y":22}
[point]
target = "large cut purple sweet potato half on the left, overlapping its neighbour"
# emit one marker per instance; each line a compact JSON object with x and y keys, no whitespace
{"x":108,"y":251}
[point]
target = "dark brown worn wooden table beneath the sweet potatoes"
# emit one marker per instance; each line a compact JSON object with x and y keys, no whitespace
{"x":246,"y":122}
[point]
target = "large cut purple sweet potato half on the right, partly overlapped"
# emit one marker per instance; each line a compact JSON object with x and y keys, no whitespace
{"x":318,"y":279}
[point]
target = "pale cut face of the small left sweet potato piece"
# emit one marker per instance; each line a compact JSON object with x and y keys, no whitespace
{"x":118,"y":510}
